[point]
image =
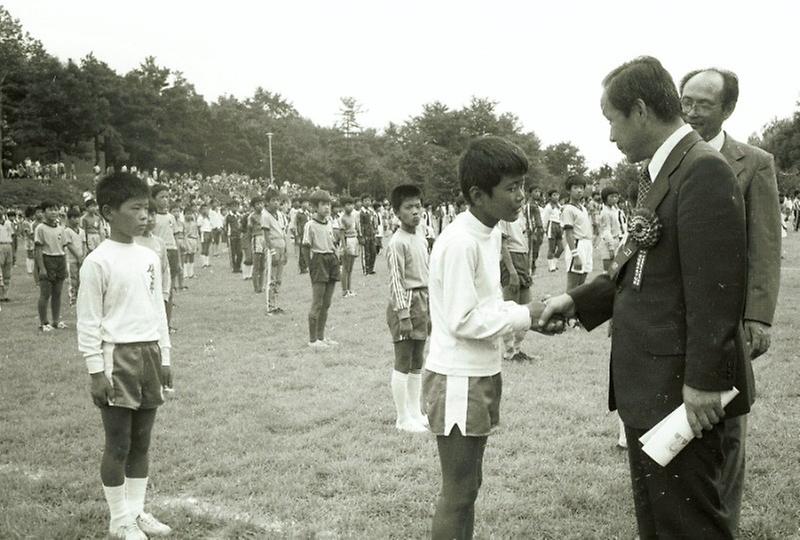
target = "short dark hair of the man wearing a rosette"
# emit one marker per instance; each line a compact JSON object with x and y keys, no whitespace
{"x":646,"y":79}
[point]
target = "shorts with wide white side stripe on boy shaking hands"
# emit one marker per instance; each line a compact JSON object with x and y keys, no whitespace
{"x":471,"y":403}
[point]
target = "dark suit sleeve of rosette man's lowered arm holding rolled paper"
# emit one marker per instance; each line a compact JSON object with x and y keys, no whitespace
{"x":712,"y":246}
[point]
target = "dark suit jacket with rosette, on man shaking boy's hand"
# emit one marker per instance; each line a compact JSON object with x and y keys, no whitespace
{"x":684,"y":324}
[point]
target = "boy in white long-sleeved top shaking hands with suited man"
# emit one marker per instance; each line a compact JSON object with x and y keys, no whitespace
{"x":469,"y":319}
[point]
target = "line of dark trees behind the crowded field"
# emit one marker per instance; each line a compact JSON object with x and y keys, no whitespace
{"x":153,"y":117}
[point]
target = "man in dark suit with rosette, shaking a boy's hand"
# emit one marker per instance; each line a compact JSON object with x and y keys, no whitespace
{"x":676,"y":304}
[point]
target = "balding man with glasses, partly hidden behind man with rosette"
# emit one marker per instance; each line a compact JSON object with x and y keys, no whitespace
{"x":708,"y":98}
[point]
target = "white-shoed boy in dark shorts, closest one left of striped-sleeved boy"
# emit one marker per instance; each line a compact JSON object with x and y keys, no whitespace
{"x":323,"y":267}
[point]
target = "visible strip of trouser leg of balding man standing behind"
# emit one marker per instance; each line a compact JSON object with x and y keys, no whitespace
{"x":733,"y":470}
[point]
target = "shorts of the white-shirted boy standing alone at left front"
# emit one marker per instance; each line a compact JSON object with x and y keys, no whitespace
{"x":134,"y":370}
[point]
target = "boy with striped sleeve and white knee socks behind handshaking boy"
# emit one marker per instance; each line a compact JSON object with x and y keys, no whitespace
{"x":407,"y":313}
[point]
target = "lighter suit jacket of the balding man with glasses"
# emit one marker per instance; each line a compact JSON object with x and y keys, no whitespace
{"x":755,"y":172}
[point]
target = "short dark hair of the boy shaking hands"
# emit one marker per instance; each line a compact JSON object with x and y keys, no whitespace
{"x":485,"y":163}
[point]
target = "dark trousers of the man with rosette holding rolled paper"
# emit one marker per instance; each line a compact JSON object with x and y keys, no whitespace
{"x":682,"y":500}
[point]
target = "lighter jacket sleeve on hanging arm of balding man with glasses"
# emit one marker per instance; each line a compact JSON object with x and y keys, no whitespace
{"x":763,"y":244}
